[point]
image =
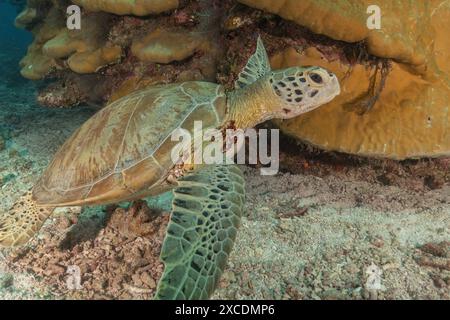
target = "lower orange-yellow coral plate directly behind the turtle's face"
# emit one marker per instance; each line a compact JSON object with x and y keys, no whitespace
{"x":410,"y":119}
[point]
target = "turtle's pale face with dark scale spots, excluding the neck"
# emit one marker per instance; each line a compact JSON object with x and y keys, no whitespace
{"x":302,"y":89}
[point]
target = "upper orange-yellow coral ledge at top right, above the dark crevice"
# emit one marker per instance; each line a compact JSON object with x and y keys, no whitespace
{"x":405,"y":34}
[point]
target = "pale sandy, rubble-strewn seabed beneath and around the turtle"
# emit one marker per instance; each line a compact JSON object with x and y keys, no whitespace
{"x":321,"y":229}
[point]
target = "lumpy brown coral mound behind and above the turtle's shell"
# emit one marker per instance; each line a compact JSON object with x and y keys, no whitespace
{"x":120,"y":49}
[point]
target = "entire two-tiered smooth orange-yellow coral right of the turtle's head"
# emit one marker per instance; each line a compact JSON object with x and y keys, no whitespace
{"x":410,"y":116}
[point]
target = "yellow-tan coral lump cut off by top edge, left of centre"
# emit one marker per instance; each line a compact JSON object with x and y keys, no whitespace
{"x":123,"y":7}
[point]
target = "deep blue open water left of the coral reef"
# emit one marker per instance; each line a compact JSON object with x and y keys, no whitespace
{"x":19,"y":111}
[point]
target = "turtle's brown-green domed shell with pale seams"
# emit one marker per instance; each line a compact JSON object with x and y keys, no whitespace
{"x":125,"y":148}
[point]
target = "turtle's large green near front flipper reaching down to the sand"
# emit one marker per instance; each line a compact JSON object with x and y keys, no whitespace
{"x":206,"y":212}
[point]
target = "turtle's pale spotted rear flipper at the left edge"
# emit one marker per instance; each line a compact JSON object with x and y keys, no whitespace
{"x":22,"y":221}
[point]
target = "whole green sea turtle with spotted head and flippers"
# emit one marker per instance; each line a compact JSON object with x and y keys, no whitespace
{"x":124,"y":153}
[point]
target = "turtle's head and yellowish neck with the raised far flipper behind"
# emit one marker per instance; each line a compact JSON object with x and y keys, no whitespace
{"x":262,"y":94}
